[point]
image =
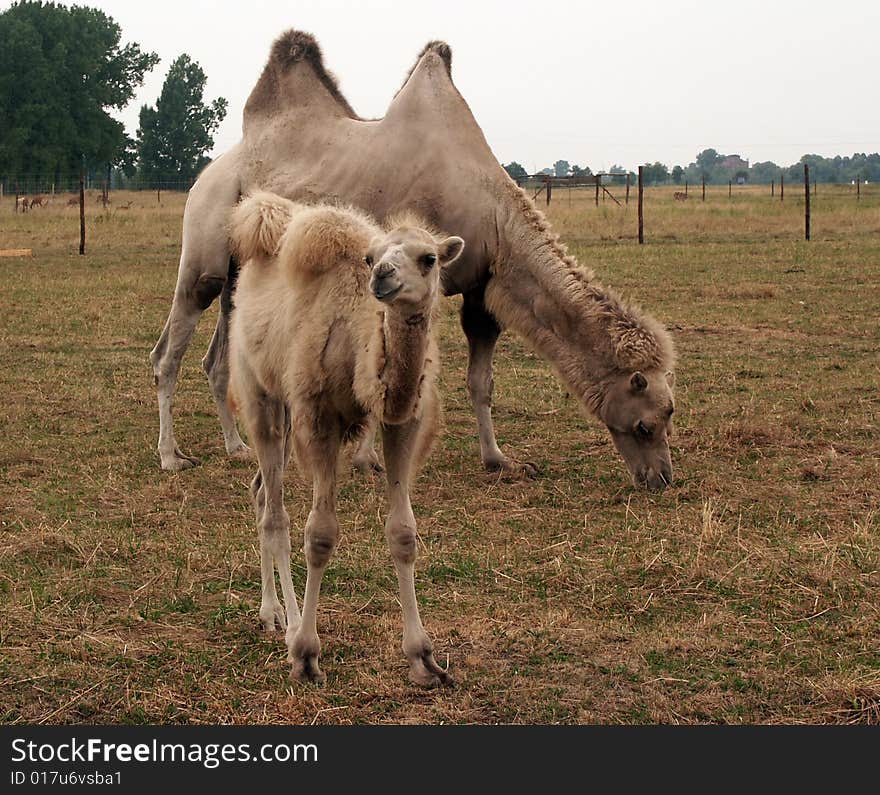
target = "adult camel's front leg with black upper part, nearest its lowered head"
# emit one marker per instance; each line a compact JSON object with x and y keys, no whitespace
{"x":482,"y":332}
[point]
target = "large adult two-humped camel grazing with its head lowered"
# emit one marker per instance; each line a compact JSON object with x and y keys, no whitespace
{"x":302,"y":139}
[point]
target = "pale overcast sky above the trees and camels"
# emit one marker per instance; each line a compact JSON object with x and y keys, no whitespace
{"x":596,"y":84}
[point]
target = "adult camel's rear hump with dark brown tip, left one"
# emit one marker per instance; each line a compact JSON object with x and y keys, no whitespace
{"x":294,"y":54}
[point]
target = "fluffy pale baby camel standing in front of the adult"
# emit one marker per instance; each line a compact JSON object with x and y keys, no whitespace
{"x":332,"y":332}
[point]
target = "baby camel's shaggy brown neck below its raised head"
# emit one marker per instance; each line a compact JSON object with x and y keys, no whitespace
{"x":407,"y":340}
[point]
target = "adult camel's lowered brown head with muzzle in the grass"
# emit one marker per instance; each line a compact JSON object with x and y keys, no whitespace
{"x":638,"y":410}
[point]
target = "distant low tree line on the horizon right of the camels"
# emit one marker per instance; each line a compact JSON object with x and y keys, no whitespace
{"x":719,"y":169}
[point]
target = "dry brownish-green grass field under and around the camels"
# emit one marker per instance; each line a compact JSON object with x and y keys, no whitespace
{"x":747,"y":593}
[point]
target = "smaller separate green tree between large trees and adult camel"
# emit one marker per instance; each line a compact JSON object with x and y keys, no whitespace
{"x":174,"y":136}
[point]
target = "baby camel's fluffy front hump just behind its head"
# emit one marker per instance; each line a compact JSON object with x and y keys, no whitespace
{"x":322,"y":238}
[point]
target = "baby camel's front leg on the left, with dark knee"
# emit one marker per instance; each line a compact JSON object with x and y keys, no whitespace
{"x":321,"y":536}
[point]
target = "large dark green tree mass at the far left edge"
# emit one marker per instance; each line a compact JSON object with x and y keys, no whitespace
{"x":61,"y":70}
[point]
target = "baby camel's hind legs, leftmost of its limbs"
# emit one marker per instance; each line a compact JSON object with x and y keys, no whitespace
{"x":270,"y":426}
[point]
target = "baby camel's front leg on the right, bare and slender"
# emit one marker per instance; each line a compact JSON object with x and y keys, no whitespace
{"x":400,"y":444}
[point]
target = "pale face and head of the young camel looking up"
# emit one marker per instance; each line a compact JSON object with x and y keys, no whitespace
{"x":406,"y":266}
